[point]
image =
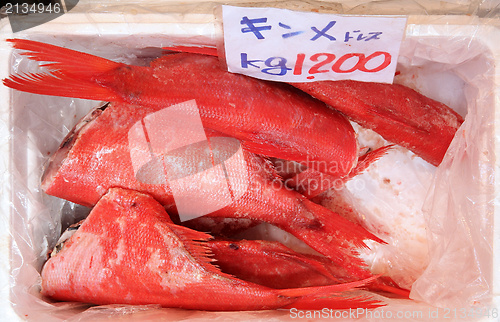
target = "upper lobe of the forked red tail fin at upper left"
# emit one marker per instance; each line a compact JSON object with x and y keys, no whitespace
{"x":59,"y":58}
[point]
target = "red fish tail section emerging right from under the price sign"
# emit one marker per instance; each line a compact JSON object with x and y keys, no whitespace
{"x":398,"y":113}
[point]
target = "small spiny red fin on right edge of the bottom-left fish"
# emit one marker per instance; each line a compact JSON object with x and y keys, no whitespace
{"x":195,"y":243}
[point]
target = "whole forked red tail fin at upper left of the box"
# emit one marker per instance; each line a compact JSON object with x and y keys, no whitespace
{"x":71,"y":73}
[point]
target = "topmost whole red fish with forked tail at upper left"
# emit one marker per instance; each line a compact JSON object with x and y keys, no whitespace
{"x":269,"y":118}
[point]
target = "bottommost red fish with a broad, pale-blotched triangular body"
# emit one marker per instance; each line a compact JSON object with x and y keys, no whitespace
{"x":127,"y":251}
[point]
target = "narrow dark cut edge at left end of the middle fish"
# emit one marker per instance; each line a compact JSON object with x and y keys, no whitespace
{"x":57,"y":159}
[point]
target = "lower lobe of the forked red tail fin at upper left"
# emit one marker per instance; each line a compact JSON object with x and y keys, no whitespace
{"x":58,"y":84}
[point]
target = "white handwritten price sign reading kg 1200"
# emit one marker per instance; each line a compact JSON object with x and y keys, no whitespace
{"x":290,"y":46}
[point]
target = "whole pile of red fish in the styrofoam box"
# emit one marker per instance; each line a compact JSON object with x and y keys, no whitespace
{"x":136,"y":248}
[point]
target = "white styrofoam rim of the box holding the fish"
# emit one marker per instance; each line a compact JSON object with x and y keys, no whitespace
{"x":486,"y":31}
